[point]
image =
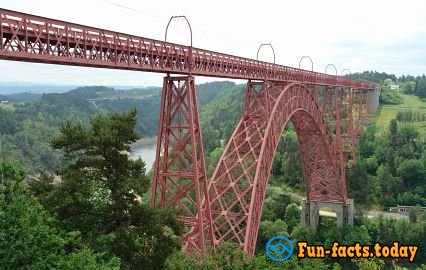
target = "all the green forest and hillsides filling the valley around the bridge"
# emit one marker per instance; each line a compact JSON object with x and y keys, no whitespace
{"x":93,"y":218}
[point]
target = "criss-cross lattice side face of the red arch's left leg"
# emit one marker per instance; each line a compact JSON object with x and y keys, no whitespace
{"x":232,"y":184}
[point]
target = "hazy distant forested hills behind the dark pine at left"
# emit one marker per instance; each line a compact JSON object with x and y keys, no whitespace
{"x":27,"y":127}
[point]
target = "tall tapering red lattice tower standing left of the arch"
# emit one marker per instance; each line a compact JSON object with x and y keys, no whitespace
{"x":180,"y":175}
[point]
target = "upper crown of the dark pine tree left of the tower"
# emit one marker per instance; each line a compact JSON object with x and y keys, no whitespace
{"x":100,"y":155}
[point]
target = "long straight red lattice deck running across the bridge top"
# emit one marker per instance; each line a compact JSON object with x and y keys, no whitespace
{"x":32,"y":38}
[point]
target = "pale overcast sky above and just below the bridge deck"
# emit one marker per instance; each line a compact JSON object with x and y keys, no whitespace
{"x":386,"y":36}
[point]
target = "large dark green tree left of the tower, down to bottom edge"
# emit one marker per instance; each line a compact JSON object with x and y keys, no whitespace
{"x":100,"y":191}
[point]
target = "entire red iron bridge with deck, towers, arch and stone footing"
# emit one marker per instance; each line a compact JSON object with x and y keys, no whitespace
{"x":328,"y":113}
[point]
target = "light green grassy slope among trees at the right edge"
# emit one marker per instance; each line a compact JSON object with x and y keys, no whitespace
{"x":386,"y":113}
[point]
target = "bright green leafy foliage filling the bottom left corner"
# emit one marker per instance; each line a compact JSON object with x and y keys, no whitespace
{"x":29,"y":238}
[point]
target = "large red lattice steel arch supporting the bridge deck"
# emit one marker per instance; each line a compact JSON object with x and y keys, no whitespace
{"x":237,"y":188}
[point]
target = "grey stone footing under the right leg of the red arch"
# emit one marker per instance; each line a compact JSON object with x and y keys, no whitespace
{"x":310,"y":212}
